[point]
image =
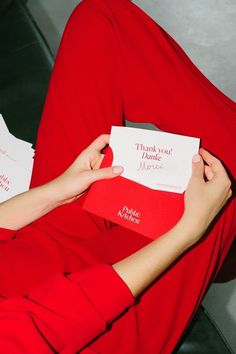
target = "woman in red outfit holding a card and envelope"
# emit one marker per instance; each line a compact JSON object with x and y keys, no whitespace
{"x":66,"y":274}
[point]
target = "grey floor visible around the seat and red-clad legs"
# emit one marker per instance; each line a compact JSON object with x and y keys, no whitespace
{"x":206,"y":29}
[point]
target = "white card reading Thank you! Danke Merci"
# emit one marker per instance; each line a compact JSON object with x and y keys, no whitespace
{"x":155,"y":159}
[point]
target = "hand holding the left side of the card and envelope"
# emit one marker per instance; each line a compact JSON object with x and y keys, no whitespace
{"x":70,"y":185}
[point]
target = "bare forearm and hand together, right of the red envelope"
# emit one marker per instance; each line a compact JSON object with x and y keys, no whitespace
{"x":208,"y":190}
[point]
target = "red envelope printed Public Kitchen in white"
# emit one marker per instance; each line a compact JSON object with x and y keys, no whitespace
{"x":144,"y":210}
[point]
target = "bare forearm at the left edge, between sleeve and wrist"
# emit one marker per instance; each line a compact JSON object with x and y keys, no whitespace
{"x":26,"y":207}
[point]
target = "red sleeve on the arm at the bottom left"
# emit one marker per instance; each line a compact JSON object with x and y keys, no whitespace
{"x":65,"y":313}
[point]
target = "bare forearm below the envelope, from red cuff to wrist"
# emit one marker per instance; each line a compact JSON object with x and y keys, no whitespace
{"x":145,"y":265}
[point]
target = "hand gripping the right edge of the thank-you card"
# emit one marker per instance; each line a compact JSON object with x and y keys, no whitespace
{"x":208,"y":191}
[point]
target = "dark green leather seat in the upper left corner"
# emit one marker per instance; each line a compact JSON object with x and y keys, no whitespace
{"x":25,"y":67}
